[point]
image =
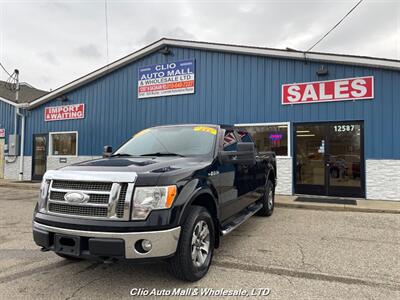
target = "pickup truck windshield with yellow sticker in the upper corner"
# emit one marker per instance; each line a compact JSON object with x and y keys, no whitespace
{"x":174,"y":141}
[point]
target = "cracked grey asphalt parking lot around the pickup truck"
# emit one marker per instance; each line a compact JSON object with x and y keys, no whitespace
{"x":296,"y":254}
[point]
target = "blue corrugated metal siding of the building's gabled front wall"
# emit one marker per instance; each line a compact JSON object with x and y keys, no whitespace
{"x":230,"y":88}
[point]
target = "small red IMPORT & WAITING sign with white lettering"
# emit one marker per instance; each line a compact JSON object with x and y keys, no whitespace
{"x":65,"y":112}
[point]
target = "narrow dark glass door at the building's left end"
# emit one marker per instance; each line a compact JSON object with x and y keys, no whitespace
{"x":39,"y":158}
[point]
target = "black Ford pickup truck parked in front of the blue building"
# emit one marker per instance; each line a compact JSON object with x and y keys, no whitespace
{"x":169,"y":192}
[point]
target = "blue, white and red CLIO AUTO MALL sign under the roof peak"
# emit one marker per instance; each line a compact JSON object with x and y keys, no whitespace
{"x":173,"y":78}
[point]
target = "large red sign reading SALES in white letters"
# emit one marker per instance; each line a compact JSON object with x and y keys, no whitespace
{"x":328,"y":91}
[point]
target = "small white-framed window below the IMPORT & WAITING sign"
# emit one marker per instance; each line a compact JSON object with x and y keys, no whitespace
{"x":63,"y":143}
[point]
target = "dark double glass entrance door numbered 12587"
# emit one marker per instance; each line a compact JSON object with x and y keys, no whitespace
{"x":329,"y":159}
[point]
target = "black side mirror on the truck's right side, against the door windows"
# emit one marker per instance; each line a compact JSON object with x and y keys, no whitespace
{"x":245,"y":154}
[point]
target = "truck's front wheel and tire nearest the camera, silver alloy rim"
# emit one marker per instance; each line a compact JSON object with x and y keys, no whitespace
{"x":196,"y":246}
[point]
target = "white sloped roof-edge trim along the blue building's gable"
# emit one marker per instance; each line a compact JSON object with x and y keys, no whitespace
{"x":238,"y":49}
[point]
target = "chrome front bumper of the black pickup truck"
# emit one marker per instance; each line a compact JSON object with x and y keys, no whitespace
{"x":110,"y":244}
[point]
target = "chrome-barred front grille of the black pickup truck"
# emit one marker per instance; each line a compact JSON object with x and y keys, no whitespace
{"x":101,"y":200}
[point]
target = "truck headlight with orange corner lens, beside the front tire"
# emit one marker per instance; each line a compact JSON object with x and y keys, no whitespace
{"x":149,"y":198}
